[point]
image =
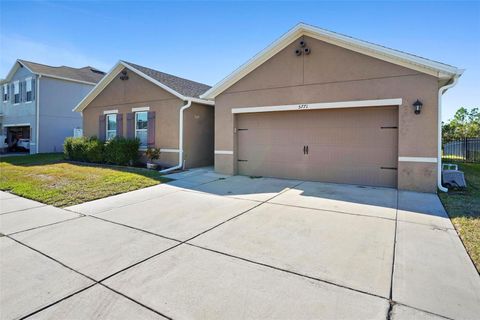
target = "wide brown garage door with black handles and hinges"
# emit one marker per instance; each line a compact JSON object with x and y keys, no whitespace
{"x":352,"y":145}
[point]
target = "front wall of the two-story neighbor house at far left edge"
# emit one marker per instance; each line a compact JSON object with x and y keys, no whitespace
{"x":23,"y":113}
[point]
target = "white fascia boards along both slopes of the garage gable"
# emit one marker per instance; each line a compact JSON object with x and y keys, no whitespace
{"x":433,"y":68}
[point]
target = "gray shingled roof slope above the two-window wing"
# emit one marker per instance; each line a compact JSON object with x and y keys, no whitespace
{"x":183,"y":86}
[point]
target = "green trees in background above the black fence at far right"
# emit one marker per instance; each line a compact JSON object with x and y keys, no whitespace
{"x":465,"y":124}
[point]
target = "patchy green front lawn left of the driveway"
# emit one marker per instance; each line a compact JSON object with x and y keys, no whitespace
{"x":50,"y":179}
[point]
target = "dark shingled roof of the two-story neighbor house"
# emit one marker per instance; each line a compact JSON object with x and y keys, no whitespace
{"x":87,"y":74}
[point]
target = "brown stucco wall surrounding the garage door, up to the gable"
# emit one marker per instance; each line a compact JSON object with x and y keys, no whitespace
{"x":329,"y":74}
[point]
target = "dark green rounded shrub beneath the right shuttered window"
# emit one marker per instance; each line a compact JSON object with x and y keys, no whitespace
{"x":122,"y":151}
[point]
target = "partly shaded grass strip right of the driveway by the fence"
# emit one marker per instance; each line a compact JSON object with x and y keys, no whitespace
{"x":463,"y":207}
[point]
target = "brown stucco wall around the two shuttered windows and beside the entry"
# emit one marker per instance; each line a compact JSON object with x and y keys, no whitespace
{"x":137,"y":92}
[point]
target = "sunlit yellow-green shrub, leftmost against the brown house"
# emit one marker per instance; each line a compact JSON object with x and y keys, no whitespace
{"x":83,"y":149}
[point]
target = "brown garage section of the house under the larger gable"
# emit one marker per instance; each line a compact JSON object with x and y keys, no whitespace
{"x":318,"y":105}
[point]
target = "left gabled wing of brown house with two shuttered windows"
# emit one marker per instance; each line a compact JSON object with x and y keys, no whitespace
{"x":162,"y":110}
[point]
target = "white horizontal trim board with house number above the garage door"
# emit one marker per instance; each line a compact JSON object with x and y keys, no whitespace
{"x":322,"y":105}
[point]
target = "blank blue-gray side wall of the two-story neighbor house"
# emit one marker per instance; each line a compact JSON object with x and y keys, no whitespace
{"x":57,"y":120}
